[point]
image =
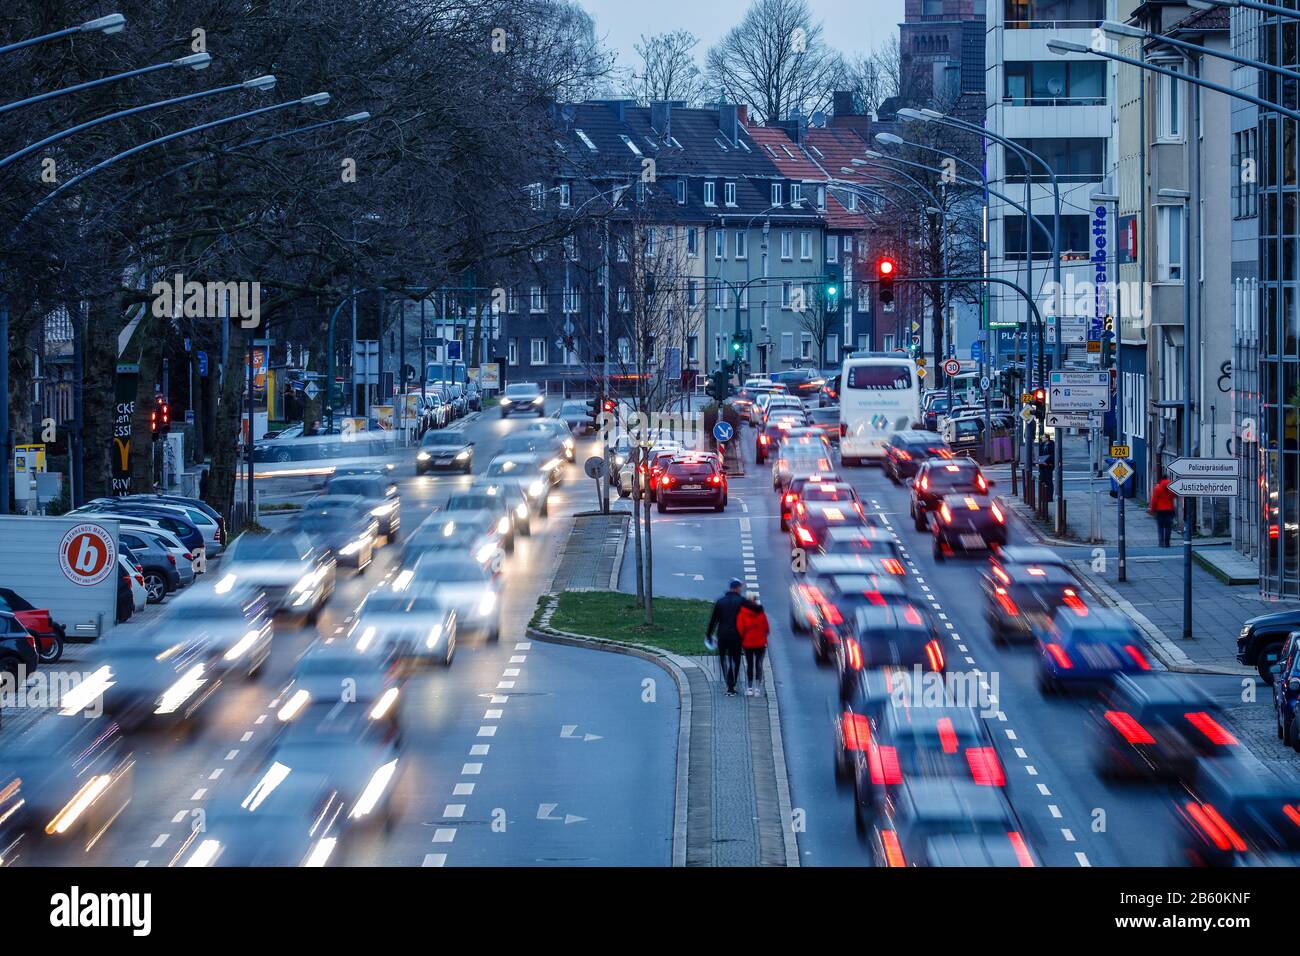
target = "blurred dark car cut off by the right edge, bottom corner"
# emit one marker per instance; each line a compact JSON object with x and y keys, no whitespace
{"x":1240,"y":817}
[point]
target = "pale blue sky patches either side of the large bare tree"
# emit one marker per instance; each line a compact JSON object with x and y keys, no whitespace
{"x":852,"y":27}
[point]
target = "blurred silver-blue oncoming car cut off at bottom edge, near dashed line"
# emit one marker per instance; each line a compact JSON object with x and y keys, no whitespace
{"x":289,"y":819}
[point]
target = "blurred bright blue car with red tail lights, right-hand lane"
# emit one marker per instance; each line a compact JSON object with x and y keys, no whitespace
{"x":1086,"y":647}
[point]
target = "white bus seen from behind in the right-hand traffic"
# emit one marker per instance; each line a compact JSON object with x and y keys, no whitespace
{"x":879,"y":395}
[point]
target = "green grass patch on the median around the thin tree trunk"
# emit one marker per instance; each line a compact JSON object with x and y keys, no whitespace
{"x":679,"y":626}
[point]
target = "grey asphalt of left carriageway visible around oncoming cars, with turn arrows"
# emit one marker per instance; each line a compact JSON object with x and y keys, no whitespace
{"x":522,"y":754}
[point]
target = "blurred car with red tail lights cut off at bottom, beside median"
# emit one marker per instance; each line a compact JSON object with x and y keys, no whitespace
{"x":950,"y":823}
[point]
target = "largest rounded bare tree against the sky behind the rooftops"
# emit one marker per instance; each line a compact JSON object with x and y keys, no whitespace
{"x":777,"y":60}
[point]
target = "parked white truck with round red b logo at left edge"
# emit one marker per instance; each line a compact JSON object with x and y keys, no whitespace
{"x":66,"y":565}
